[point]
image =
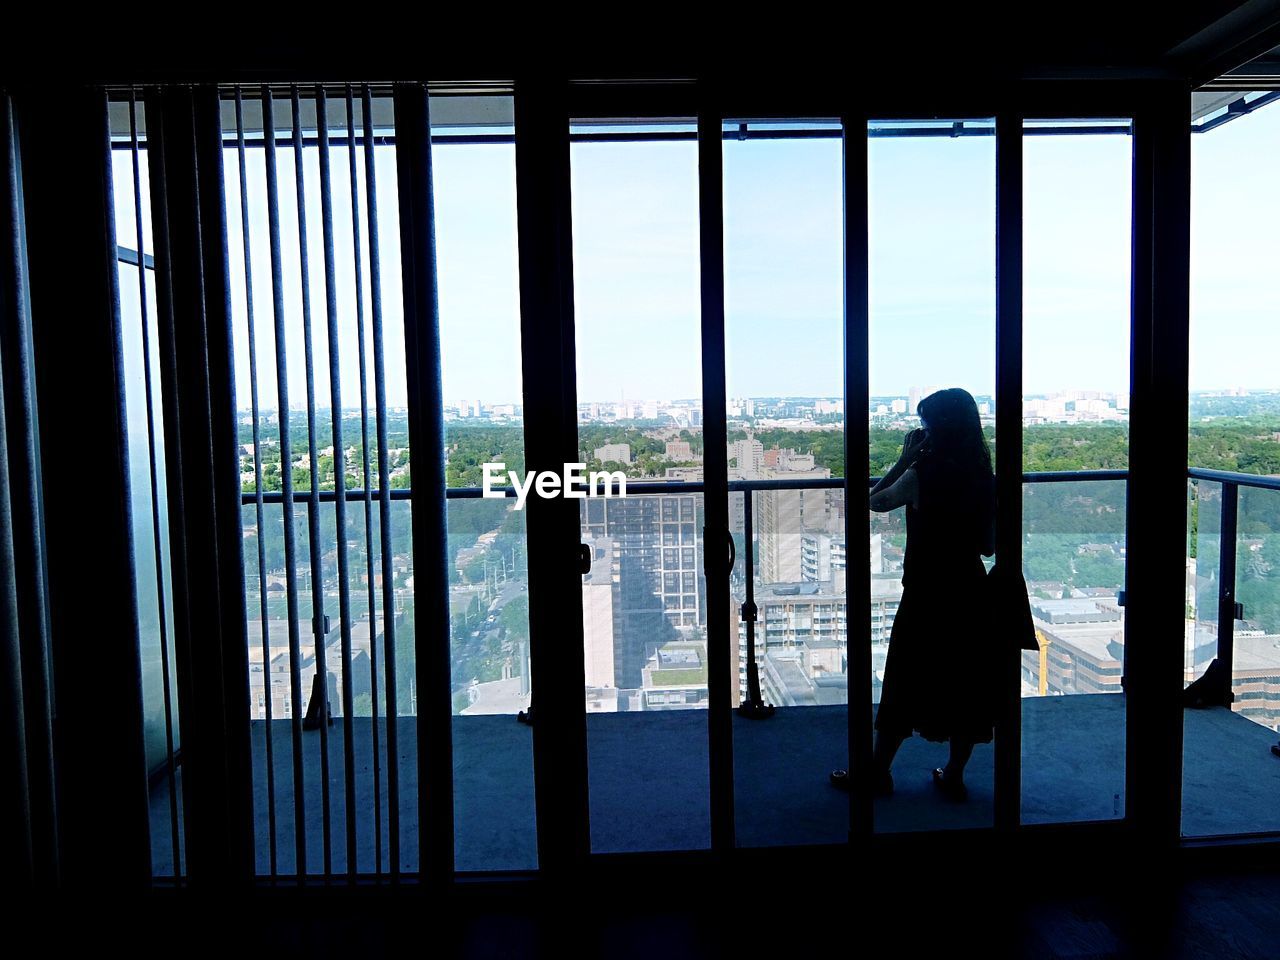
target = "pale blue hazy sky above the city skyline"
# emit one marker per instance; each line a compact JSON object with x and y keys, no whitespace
{"x":637,"y":272}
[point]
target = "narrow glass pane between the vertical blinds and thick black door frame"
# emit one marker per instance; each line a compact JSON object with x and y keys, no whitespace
{"x":476,"y":226}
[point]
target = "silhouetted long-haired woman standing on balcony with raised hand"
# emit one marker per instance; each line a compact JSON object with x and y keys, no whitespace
{"x":931,"y":684}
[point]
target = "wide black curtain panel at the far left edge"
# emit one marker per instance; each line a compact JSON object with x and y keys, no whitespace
{"x":77,"y":455}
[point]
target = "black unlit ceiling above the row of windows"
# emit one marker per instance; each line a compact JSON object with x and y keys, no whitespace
{"x":909,"y":43}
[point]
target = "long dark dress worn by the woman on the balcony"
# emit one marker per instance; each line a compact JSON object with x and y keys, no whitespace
{"x":938,"y":671}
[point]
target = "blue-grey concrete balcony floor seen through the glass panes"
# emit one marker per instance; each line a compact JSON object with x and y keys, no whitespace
{"x":650,"y":783}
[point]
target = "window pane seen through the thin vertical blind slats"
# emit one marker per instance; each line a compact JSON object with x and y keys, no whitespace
{"x":342,"y":578}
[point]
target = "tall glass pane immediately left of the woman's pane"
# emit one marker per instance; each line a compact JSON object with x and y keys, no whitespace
{"x":784,"y":289}
